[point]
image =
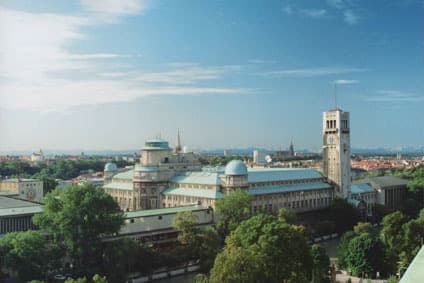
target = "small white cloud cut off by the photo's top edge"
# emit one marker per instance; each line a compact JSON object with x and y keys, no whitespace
{"x":115,"y":7}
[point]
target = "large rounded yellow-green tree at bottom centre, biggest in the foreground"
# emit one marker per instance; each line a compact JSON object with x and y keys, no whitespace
{"x":257,"y":251}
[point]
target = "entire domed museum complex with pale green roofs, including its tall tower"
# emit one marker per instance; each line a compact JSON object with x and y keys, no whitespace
{"x":165,"y":178}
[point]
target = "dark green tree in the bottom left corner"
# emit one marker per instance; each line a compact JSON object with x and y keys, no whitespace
{"x":28,"y":253}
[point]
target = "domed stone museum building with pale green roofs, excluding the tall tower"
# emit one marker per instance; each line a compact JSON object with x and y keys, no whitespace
{"x":164,"y":178}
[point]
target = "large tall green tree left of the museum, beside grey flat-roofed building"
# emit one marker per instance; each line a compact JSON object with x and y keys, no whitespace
{"x":80,"y":216}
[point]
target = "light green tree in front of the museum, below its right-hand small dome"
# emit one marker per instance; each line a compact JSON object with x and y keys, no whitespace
{"x":233,"y":209}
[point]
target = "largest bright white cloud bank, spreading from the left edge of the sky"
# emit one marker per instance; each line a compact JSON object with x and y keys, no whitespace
{"x":40,"y":73}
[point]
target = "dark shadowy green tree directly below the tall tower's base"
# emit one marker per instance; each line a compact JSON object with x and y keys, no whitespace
{"x":344,"y":215}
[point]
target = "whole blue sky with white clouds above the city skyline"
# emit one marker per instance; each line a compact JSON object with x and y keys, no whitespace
{"x":105,"y":74}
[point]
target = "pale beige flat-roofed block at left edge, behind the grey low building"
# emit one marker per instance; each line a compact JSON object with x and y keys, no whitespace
{"x":29,"y":189}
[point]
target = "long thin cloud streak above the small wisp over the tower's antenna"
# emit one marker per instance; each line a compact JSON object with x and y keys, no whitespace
{"x":313,"y":72}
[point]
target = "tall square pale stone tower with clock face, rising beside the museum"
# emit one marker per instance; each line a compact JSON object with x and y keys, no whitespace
{"x":336,"y":150}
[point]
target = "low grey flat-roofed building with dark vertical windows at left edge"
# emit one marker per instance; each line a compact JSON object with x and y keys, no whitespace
{"x":16,"y":215}
